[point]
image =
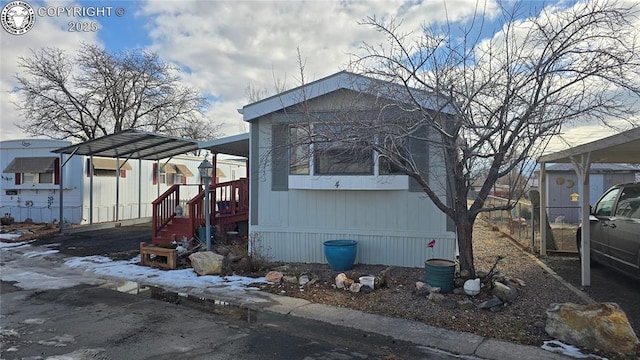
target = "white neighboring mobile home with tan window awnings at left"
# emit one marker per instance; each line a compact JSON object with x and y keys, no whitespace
{"x":31,"y":175}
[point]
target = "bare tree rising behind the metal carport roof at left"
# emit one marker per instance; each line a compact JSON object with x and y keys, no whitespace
{"x":98,"y":93}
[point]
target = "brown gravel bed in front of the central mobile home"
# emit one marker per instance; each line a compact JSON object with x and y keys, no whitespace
{"x":521,"y":321}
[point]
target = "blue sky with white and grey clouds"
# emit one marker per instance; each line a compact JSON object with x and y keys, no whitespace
{"x":223,"y":47}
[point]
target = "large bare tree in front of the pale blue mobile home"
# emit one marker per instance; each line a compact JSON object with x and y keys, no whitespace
{"x":478,"y":106}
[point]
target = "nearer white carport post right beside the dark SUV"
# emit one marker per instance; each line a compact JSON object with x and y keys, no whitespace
{"x":582,"y":166}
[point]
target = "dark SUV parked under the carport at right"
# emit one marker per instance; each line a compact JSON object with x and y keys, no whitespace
{"x":615,"y":229}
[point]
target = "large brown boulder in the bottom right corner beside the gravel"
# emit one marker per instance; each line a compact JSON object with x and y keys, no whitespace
{"x":601,"y":326}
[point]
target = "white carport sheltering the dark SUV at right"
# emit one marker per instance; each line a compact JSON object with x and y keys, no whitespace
{"x":619,"y":148}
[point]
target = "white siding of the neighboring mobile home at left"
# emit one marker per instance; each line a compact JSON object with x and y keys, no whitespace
{"x":136,"y":190}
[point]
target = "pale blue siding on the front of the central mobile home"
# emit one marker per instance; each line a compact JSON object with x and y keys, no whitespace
{"x":392,"y":227}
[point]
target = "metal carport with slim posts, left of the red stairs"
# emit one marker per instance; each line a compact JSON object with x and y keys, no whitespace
{"x":123,"y":146}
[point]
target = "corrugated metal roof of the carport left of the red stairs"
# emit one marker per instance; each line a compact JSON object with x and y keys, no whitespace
{"x":132,"y":144}
